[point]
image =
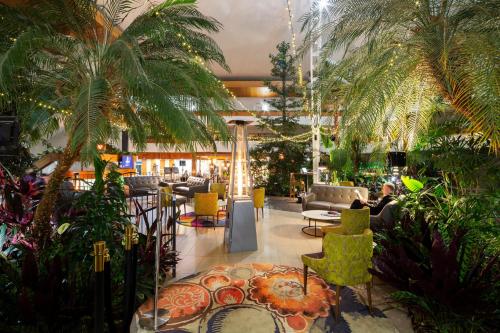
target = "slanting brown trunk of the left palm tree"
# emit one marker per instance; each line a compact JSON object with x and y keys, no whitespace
{"x":43,"y":213}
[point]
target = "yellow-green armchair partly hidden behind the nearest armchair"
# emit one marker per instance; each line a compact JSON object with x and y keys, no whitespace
{"x":352,"y":222}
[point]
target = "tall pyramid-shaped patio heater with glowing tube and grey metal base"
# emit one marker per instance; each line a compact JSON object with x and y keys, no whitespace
{"x":240,"y":233}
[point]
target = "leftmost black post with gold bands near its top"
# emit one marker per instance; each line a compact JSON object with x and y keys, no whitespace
{"x":99,"y":248}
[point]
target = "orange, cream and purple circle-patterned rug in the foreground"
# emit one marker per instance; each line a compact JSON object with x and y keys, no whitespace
{"x":257,"y":298}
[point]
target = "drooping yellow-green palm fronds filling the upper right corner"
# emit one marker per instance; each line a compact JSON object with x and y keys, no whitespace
{"x":401,"y":57}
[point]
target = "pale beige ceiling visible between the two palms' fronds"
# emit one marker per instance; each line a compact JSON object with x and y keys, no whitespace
{"x":252,"y":29}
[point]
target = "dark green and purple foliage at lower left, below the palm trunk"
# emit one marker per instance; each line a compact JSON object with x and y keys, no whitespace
{"x":47,"y":289}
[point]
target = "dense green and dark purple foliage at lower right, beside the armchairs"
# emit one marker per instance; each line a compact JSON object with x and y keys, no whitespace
{"x":442,"y":253}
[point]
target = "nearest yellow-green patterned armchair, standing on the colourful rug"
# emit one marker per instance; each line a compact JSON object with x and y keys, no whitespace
{"x":344,"y":262}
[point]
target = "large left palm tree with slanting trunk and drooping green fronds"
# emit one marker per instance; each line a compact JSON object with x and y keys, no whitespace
{"x":66,"y":65}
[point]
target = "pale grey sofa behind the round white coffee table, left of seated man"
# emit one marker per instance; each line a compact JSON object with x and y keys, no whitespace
{"x":326,"y":197}
